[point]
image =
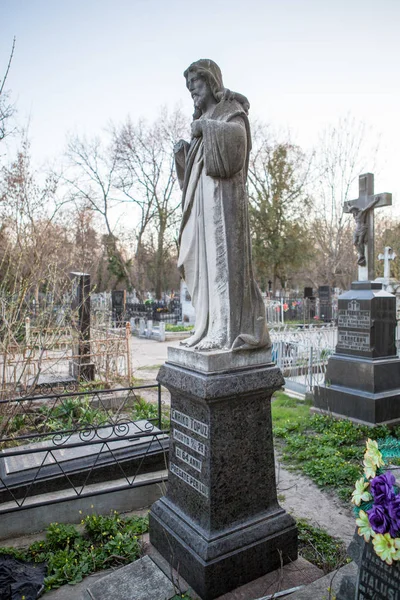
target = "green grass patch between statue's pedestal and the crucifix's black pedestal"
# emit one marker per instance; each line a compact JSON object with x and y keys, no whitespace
{"x":328,"y":451}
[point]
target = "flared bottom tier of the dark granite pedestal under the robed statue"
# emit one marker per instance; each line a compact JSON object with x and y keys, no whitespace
{"x":216,"y":564}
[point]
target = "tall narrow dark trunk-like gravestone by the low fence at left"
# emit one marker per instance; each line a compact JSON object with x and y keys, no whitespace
{"x":82,"y":367}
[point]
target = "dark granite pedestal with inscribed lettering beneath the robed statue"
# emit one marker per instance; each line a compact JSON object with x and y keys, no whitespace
{"x":220,"y":524}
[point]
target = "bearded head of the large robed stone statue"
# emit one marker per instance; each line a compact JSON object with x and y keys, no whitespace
{"x":204,"y":81}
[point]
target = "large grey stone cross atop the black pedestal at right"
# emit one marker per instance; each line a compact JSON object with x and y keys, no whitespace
{"x":367,"y":198}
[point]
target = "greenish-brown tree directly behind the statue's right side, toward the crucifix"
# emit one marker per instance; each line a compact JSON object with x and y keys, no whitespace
{"x":278,"y":174}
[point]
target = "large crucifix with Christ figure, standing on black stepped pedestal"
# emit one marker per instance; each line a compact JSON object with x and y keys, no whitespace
{"x":362,"y":210}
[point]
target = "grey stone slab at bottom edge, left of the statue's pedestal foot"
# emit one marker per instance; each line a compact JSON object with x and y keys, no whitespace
{"x":141,"y":580}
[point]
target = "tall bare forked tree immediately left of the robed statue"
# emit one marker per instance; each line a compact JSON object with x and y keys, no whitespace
{"x":146,"y":170}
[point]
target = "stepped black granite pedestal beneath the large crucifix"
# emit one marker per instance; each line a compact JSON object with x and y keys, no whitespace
{"x":362,"y":380}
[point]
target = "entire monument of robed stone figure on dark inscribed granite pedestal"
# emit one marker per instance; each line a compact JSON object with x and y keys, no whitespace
{"x":219,"y":524}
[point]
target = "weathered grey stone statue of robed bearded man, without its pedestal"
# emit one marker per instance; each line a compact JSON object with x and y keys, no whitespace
{"x":215,"y":249}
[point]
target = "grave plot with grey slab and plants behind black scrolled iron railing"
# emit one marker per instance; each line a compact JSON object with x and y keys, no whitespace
{"x":68,"y":442}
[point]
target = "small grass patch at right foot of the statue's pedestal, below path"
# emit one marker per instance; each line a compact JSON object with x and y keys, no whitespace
{"x":319,"y":548}
